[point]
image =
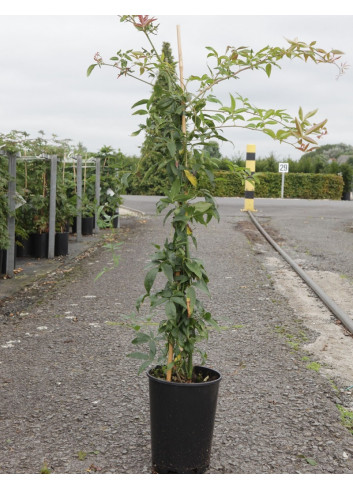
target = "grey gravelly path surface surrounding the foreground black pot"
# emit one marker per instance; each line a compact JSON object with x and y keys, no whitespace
{"x":71,"y":400}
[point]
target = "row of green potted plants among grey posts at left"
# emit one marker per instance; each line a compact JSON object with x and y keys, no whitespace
{"x":33,"y":195}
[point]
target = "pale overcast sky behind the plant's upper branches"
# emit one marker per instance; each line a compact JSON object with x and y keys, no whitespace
{"x":44,"y":58}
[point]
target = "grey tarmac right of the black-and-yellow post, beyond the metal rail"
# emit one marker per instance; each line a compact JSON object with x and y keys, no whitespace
{"x":318,"y":234}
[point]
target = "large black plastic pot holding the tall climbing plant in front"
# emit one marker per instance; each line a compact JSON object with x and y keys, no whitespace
{"x":182,"y":422}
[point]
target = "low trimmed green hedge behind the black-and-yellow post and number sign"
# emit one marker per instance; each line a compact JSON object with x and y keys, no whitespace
{"x":296,"y":185}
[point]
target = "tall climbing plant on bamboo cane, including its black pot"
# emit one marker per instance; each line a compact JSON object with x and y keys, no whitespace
{"x":181,"y":123}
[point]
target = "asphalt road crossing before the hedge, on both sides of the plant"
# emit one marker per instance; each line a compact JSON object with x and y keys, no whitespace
{"x":317,"y":232}
